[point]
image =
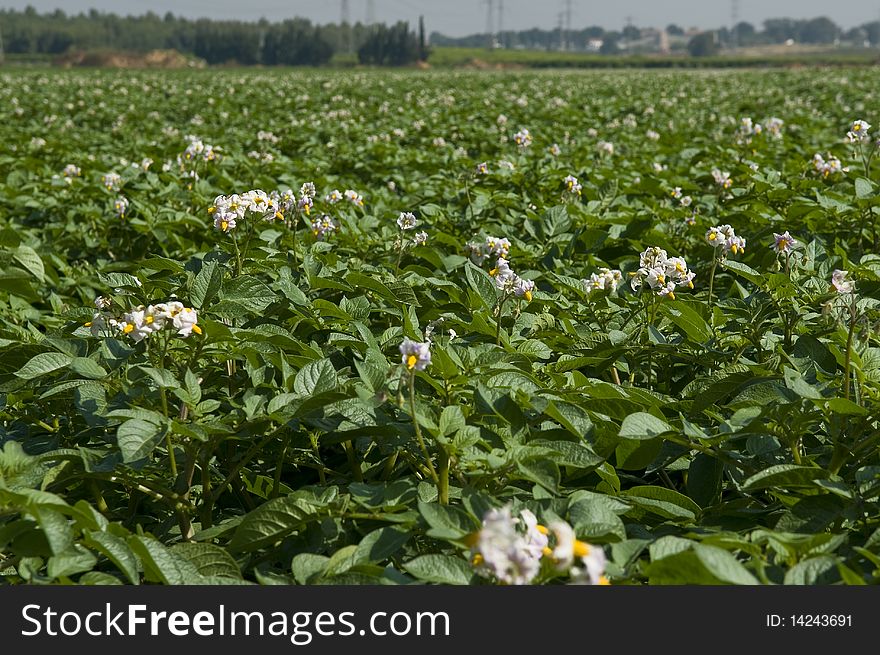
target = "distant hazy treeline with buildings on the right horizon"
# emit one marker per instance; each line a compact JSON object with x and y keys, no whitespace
{"x":820,"y":30}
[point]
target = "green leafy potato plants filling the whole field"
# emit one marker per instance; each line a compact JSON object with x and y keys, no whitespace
{"x":723,"y":437}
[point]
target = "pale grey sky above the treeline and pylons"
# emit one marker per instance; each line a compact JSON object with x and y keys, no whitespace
{"x":461,"y":17}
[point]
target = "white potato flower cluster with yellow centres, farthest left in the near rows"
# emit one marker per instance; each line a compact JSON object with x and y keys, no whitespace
{"x":140,"y":322}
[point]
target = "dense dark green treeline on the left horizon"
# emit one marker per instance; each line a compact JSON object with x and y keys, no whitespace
{"x":291,"y":42}
